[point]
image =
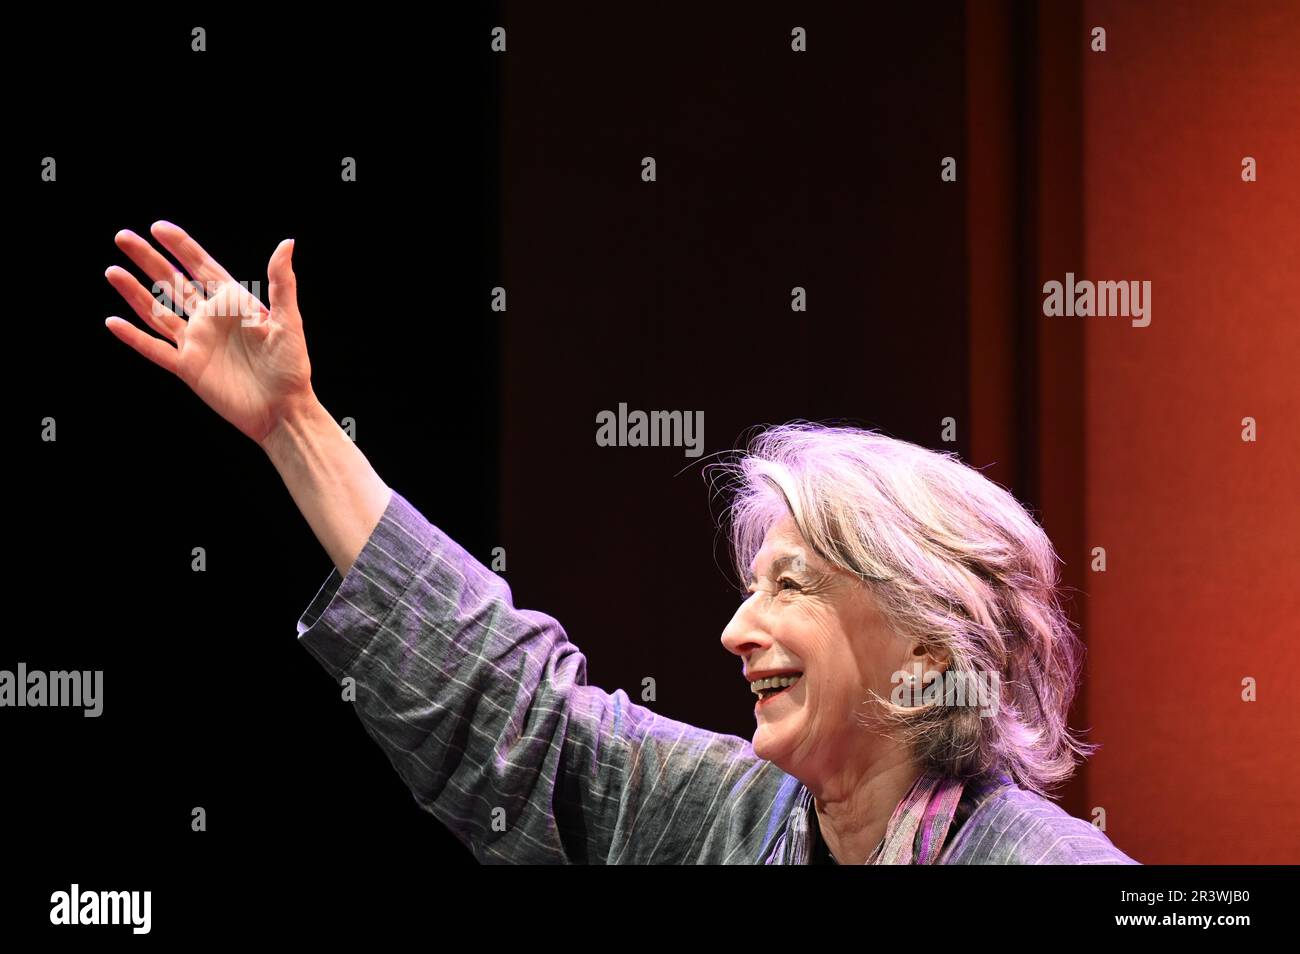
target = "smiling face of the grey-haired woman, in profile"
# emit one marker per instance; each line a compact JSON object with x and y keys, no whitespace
{"x":808,"y":617}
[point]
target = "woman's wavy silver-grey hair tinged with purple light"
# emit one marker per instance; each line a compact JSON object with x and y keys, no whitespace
{"x":954,"y":561}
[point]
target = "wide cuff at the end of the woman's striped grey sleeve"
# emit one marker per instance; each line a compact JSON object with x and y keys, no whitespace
{"x":350,"y":612}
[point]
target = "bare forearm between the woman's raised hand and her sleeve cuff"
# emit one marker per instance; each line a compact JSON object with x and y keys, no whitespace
{"x":330,"y":479}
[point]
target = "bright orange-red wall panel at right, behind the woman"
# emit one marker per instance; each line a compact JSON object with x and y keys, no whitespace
{"x":1202,"y":530}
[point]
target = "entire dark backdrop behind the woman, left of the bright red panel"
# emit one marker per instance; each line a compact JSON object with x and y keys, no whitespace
{"x":475,"y":171}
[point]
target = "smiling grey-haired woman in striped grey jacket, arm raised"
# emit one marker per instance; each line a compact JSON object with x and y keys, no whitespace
{"x":900,"y":631}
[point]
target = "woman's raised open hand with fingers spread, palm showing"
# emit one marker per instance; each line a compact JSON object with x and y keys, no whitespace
{"x":246,"y":362}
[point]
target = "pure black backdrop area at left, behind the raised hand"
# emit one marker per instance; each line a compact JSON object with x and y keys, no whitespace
{"x":209,"y":701}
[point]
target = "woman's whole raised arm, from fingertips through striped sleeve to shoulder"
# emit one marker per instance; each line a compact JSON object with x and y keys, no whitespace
{"x":483,"y":709}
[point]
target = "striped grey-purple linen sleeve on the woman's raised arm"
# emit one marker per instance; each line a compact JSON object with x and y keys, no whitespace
{"x":486,"y":714}
